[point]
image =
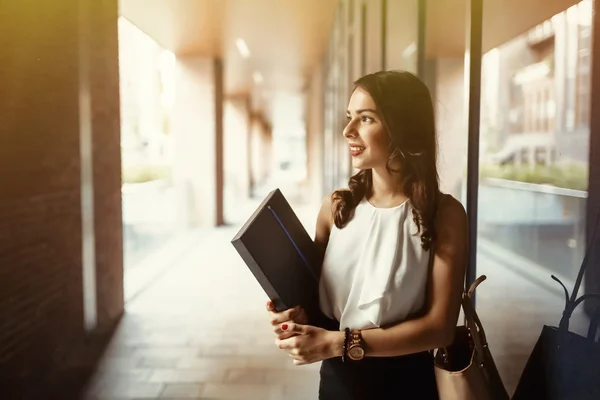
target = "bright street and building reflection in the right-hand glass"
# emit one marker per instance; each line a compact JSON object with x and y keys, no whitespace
{"x":534,"y":146}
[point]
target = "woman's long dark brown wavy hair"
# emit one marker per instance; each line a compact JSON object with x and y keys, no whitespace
{"x":405,"y":108}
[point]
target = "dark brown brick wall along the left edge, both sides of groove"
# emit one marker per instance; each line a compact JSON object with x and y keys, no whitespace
{"x":41,"y":296}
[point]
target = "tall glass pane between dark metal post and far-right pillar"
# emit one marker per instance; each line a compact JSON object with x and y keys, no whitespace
{"x":533,"y":181}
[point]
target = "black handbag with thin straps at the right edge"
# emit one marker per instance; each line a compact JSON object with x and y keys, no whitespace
{"x":564,"y":365}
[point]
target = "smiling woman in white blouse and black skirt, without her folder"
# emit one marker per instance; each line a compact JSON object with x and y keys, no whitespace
{"x":394,"y":251}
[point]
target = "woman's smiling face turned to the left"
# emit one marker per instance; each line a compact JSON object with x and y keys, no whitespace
{"x":369,"y":143}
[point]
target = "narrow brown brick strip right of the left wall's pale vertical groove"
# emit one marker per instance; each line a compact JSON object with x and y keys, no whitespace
{"x":107,"y":161}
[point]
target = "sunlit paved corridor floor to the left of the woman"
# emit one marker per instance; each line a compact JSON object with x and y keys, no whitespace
{"x":200,"y":330}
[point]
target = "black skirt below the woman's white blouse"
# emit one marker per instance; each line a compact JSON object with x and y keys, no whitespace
{"x":405,"y":377}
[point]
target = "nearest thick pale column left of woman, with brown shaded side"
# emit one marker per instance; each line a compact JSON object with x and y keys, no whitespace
{"x":198,"y":165}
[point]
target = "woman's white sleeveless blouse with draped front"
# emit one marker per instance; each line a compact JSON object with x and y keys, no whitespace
{"x":375,"y":271}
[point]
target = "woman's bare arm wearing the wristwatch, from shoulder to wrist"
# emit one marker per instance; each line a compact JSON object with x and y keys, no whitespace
{"x":445,"y":286}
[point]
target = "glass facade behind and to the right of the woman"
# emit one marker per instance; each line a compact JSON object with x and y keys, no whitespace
{"x":534,"y":153}
